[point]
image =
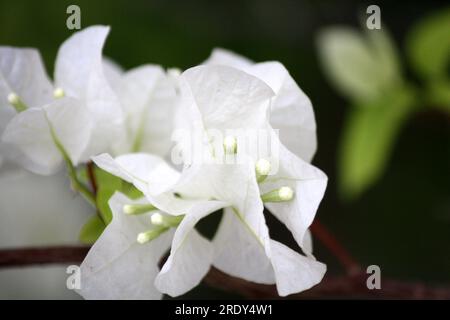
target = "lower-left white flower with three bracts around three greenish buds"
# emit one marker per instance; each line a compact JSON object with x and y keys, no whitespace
{"x":123,"y":263}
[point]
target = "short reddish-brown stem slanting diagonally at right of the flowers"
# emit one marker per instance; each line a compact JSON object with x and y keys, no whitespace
{"x":336,"y":248}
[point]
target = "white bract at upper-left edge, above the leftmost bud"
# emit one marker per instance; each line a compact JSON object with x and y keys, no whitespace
{"x":22,"y":72}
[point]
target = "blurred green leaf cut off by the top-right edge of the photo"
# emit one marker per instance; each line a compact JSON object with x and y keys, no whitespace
{"x":428,"y":45}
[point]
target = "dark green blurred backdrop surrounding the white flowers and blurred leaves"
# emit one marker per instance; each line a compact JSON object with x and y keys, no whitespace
{"x":403,"y":223}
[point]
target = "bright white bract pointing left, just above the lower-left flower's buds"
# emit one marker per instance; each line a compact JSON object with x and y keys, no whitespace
{"x":149,"y":173}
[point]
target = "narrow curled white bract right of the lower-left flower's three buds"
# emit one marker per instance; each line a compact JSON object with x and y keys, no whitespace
{"x":191,"y":254}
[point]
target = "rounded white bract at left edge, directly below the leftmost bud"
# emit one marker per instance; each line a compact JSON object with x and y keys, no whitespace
{"x":29,"y":132}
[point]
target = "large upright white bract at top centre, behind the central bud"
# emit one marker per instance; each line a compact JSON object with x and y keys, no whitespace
{"x":220,"y":108}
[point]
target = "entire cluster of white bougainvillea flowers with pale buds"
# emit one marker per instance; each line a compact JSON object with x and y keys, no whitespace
{"x":125,"y":122}
